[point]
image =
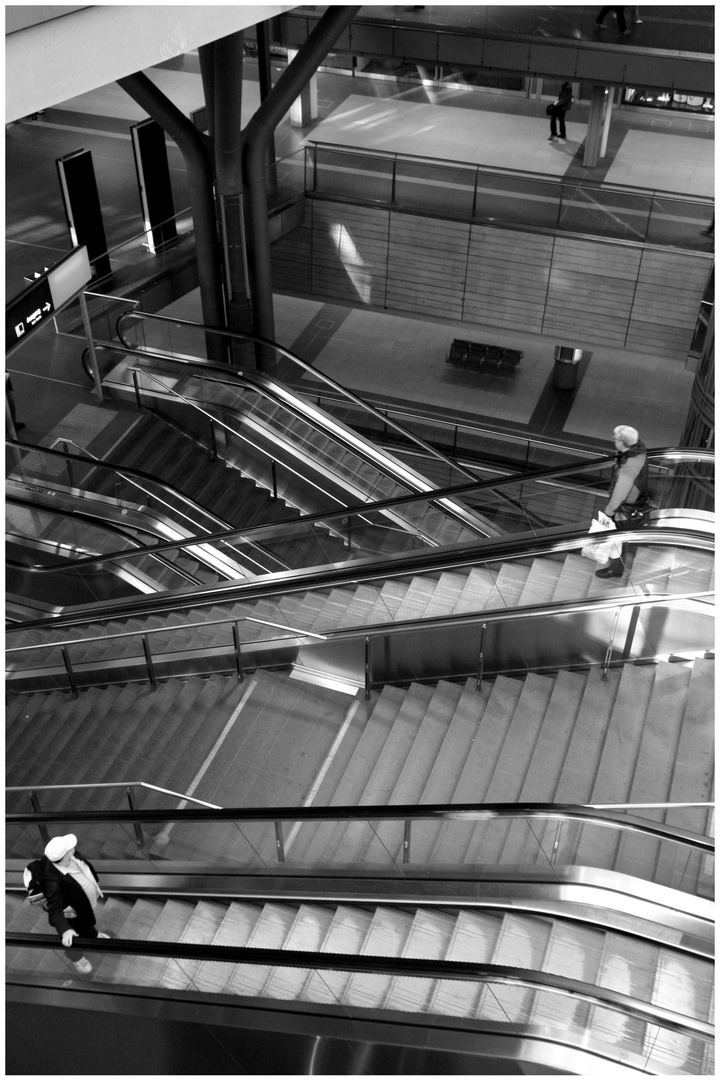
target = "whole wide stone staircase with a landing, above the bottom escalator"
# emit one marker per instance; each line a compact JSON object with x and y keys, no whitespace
{"x":642,"y":735}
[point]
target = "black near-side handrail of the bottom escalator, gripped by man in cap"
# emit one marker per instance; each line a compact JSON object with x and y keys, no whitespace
{"x":403,"y":966}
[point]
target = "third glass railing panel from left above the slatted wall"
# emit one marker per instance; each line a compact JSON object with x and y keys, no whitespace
{"x":518,"y":200}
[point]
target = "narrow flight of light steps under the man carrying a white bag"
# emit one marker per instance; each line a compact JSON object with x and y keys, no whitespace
{"x":517,"y":584}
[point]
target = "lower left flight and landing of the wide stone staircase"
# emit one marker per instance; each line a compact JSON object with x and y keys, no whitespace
{"x":260,"y":742}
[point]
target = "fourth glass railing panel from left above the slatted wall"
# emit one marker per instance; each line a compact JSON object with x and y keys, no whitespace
{"x":604,"y":212}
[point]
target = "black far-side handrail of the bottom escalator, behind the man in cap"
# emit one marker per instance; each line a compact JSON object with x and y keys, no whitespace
{"x":440,"y":812}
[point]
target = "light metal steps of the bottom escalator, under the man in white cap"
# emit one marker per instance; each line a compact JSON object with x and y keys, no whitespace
{"x":642,"y":969}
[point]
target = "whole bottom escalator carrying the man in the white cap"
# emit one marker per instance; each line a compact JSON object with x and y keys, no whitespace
{"x":560,"y":978}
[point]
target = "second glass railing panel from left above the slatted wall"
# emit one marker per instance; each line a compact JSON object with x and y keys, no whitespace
{"x":424,"y":187}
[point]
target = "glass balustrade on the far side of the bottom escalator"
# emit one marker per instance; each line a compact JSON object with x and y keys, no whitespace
{"x":441,"y":844}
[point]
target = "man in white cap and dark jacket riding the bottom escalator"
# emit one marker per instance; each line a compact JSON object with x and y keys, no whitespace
{"x":72,"y":890}
